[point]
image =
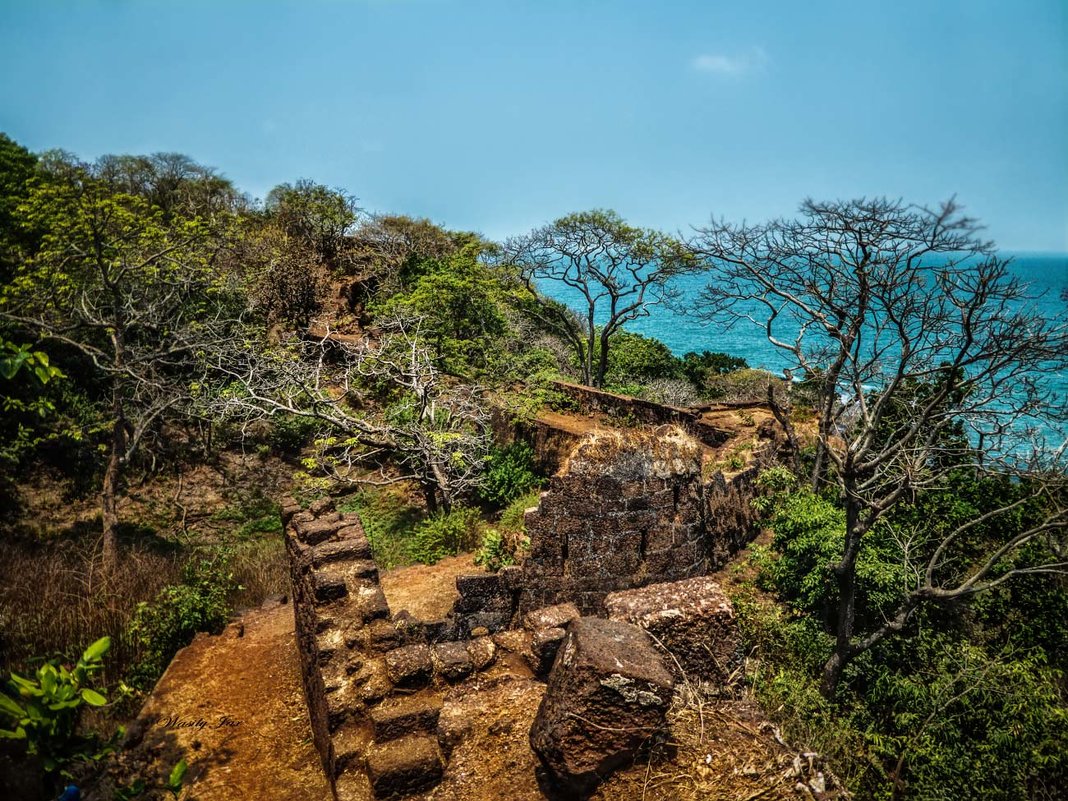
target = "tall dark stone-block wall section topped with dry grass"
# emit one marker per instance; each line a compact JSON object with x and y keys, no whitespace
{"x":626,"y":511}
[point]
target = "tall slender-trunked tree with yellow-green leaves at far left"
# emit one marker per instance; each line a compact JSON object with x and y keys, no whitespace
{"x":135,"y":293}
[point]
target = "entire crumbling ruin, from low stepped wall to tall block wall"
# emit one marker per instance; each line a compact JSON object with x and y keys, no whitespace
{"x":629,"y":510}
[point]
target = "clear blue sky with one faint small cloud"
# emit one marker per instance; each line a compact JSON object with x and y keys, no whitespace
{"x":497,"y":117}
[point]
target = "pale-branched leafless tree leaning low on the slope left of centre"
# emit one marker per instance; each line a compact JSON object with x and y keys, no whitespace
{"x":420,"y":427}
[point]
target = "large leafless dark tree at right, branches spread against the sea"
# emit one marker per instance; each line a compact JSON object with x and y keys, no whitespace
{"x":926,"y":356}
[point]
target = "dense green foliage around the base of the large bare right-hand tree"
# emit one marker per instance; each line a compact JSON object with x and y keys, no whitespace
{"x":968,"y":705}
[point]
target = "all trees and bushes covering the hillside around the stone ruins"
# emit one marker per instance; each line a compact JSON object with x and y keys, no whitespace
{"x":176,"y":356}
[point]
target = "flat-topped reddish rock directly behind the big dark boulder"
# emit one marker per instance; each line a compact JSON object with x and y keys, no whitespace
{"x":693,"y":620}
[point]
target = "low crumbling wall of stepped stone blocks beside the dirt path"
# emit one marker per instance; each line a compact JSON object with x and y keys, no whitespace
{"x":373,"y":680}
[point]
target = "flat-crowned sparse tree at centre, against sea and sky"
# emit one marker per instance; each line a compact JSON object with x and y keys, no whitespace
{"x":618,"y":272}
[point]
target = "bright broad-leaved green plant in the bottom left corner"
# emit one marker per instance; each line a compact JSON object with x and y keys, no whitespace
{"x":45,"y":711}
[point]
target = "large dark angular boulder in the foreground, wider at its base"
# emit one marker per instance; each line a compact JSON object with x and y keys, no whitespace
{"x":608,"y":695}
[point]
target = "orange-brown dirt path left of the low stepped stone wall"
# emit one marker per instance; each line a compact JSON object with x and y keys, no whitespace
{"x":233,"y":708}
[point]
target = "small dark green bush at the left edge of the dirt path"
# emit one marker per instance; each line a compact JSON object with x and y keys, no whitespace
{"x":200,"y":603}
